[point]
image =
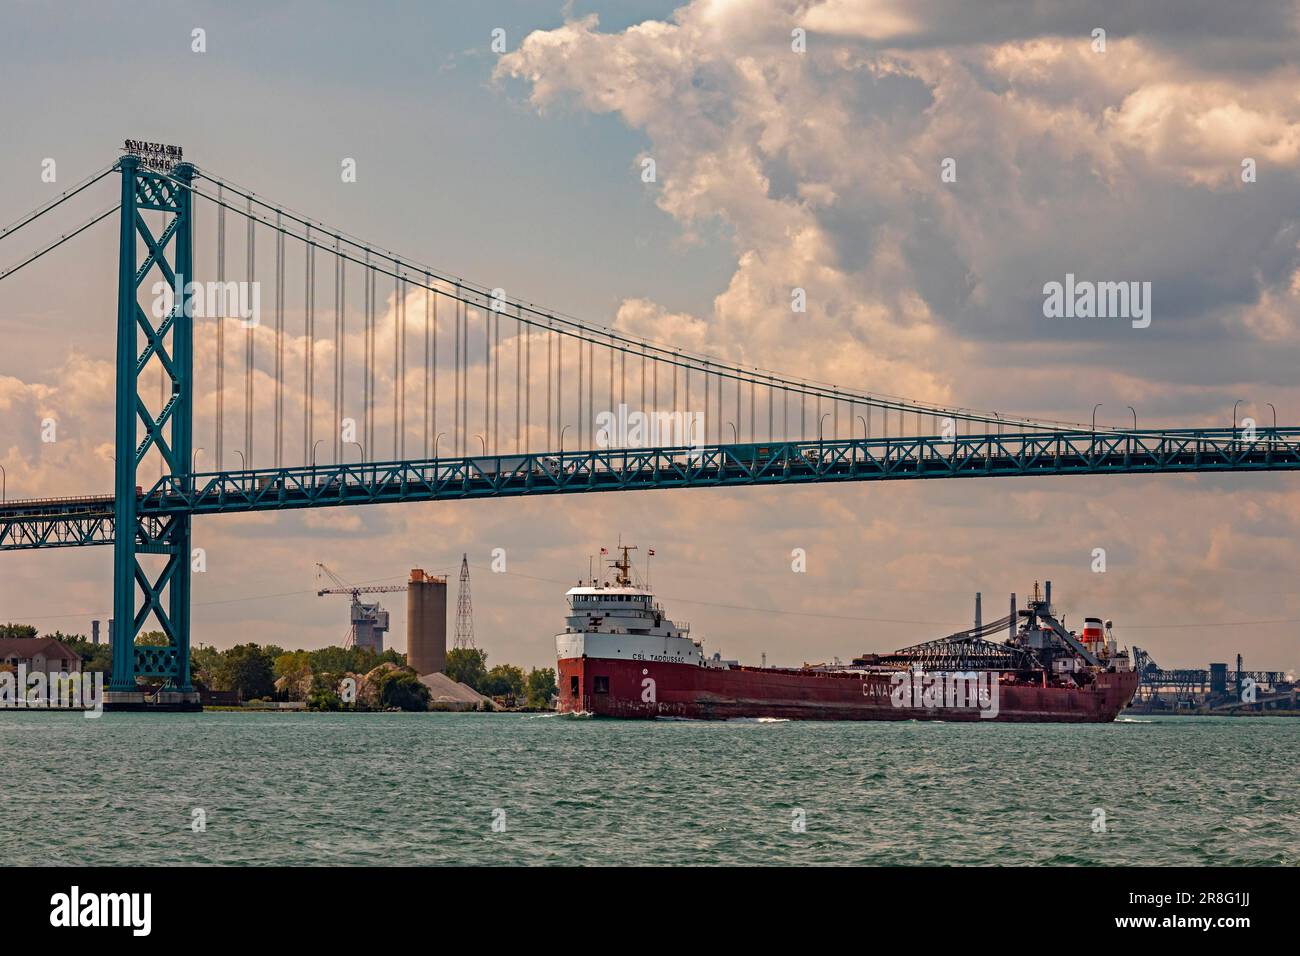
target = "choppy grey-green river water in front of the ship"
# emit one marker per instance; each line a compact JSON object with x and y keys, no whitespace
{"x":426,"y":789}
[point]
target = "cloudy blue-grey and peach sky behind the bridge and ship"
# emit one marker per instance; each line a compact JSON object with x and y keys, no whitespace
{"x":777,"y":168}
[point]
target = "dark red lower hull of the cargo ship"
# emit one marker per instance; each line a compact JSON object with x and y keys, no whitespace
{"x":612,"y":687}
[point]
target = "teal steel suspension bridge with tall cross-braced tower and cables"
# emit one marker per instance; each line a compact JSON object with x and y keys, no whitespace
{"x":515,"y":384}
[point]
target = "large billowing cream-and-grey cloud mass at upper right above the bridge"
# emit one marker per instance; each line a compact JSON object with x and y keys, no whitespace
{"x":1124,"y":165}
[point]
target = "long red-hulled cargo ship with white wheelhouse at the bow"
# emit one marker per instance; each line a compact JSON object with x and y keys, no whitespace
{"x":622,"y":656}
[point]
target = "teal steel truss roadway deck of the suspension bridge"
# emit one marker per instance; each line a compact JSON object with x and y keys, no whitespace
{"x":76,"y":522}
